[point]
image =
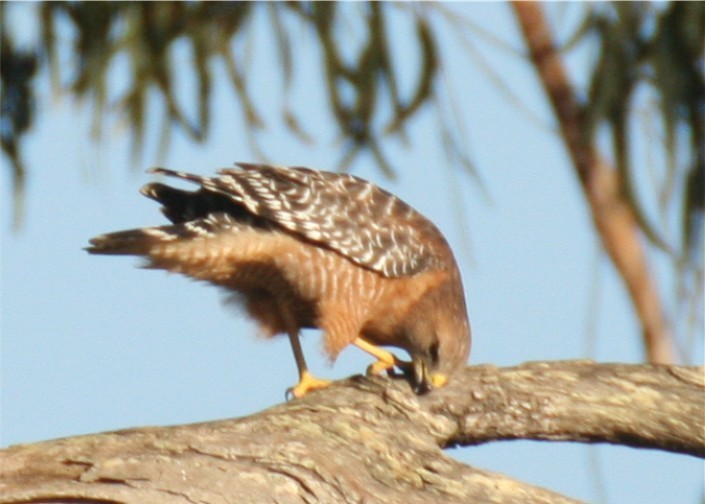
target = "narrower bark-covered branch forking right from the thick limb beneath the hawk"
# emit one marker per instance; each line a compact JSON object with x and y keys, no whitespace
{"x":643,"y":406}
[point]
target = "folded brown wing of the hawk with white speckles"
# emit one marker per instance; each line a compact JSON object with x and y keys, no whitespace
{"x":357,"y":219}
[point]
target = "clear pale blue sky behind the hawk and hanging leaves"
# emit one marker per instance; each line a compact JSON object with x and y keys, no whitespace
{"x":93,"y":343}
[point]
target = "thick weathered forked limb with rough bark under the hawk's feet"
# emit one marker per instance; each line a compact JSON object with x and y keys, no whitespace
{"x":371,"y":440}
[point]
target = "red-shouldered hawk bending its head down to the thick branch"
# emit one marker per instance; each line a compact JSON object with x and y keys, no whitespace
{"x":312,"y":249}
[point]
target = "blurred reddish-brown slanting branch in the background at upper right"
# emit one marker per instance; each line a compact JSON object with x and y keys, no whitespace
{"x":614,"y":218}
